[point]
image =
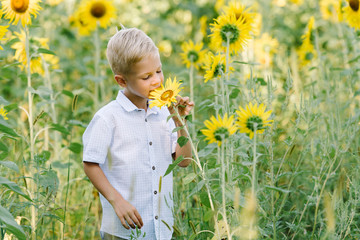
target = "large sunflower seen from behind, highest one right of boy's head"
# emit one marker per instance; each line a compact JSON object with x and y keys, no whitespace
{"x":227,"y":26}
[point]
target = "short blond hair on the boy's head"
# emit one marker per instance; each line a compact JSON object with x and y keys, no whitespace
{"x":128,"y":47}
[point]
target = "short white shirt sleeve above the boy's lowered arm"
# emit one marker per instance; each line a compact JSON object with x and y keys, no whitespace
{"x":96,"y":140}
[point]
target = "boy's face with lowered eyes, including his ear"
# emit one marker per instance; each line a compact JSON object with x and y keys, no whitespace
{"x":144,"y":77}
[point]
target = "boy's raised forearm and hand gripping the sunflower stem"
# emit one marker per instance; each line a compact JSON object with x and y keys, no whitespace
{"x":184,"y":110}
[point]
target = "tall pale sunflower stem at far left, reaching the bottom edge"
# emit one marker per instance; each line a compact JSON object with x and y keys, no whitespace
{"x":31,"y":128}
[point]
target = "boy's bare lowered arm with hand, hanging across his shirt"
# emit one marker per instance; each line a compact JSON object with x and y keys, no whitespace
{"x":123,"y":209}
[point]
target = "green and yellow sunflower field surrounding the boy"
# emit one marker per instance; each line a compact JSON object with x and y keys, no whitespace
{"x":274,"y":130}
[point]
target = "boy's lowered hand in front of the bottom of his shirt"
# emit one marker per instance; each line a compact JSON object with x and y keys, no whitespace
{"x":127,"y":213}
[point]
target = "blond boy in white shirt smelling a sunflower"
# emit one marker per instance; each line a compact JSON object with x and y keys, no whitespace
{"x":128,"y":146}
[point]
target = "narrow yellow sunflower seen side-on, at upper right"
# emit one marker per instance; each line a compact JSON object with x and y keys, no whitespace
{"x":307,"y":51}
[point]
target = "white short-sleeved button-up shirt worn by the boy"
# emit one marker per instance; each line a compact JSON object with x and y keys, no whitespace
{"x":133,"y":149}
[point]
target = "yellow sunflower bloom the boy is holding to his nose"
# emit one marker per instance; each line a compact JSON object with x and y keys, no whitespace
{"x":165,"y":95}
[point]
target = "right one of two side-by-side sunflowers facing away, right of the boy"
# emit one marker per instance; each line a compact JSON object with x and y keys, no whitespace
{"x":253,"y":118}
